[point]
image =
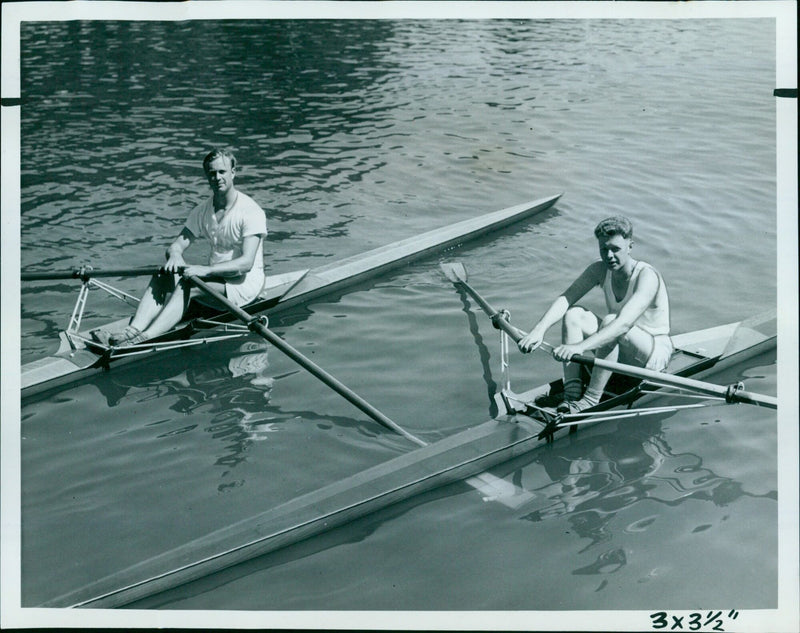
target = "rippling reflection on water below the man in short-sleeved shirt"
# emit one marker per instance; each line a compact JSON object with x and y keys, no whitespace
{"x":225,"y":393}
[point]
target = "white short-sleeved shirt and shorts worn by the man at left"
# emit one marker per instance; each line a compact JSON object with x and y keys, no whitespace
{"x":226,"y":236}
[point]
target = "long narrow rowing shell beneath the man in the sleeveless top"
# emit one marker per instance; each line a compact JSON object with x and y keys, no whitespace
{"x":452,"y":459}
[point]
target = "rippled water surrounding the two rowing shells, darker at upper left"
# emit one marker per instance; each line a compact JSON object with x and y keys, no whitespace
{"x":352,"y":134}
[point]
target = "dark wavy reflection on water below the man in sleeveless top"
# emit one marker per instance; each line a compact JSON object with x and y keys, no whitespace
{"x":595,"y":479}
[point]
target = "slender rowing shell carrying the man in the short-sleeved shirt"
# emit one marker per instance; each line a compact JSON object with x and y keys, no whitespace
{"x":78,"y":357}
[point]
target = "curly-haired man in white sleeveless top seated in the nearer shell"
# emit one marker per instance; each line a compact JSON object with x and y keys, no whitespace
{"x":635,"y":331}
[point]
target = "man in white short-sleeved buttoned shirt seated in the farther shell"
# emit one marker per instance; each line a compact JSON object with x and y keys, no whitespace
{"x":235,"y":227}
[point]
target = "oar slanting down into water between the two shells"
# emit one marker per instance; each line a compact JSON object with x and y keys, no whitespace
{"x":257,"y":326}
